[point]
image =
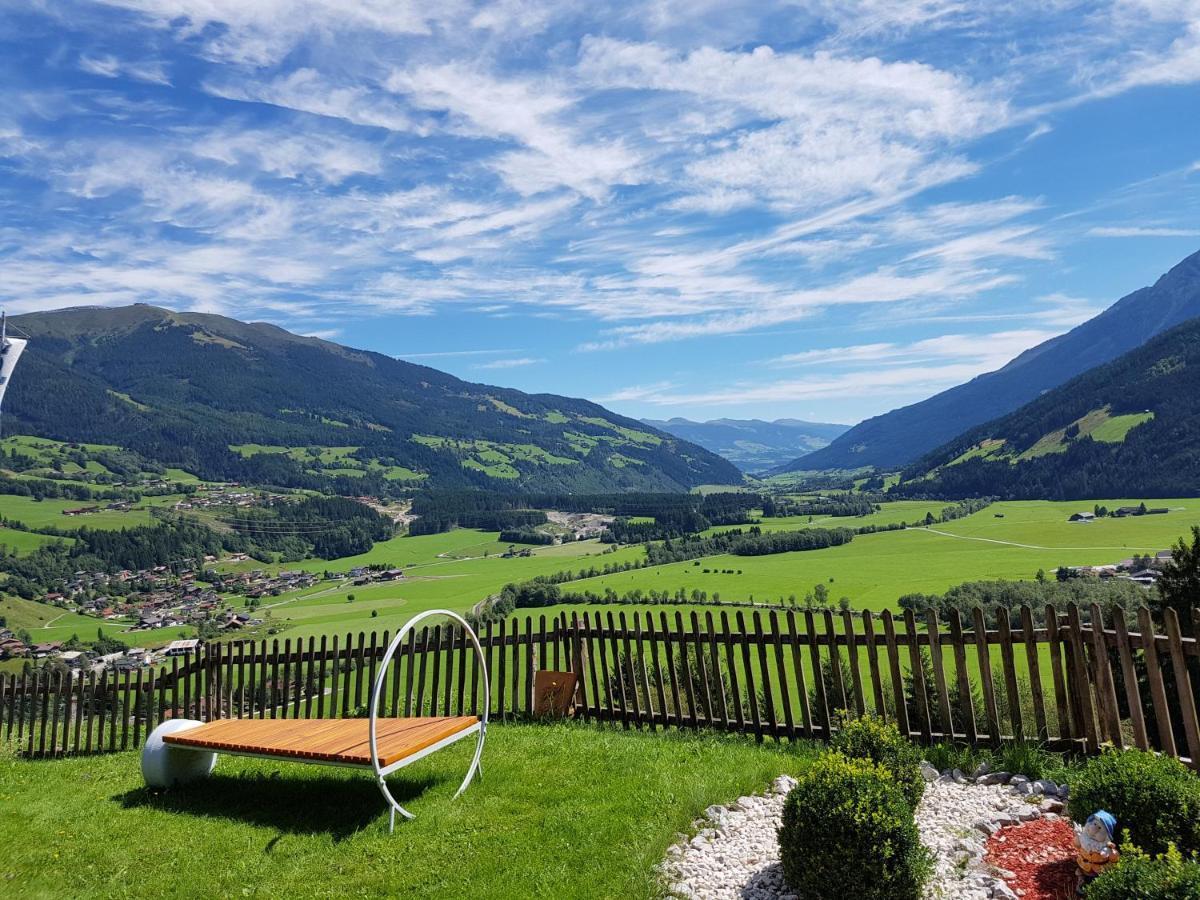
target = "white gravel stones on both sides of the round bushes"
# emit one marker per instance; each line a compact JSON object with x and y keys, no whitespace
{"x":735,"y":853}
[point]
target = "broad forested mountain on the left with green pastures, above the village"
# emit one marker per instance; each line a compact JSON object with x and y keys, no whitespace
{"x":226,"y":399}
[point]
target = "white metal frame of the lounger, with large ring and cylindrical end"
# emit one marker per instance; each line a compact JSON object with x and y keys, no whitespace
{"x":165,"y":765}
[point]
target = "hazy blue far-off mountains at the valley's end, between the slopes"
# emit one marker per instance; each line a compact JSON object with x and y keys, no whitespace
{"x":754,"y":445}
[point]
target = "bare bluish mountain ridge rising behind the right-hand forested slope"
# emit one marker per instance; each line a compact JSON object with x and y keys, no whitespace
{"x":898,"y":439}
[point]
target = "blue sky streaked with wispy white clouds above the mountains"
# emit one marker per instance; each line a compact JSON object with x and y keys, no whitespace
{"x":819,"y":209}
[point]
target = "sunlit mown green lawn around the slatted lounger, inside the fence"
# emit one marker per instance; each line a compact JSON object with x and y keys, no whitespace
{"x":563,"y":812}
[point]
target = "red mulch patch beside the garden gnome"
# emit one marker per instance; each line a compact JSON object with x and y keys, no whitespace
{"x":1041,"y":854}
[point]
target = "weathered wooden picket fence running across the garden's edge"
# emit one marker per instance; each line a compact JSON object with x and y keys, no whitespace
{"x":1072,"y":682}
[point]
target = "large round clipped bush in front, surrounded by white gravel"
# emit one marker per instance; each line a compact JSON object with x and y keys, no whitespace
{"x":848,"y":832}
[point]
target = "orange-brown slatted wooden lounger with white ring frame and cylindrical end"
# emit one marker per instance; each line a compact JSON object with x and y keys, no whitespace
{"x":183,"y":751}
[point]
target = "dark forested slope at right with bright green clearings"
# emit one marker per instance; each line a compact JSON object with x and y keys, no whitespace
{"x":1130,"y":428}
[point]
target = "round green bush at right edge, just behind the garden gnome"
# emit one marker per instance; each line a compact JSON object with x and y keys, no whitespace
{"x":1155,"y":799}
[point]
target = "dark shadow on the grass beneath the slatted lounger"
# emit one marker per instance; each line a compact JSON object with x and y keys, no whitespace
{"x":339,"y":807}
